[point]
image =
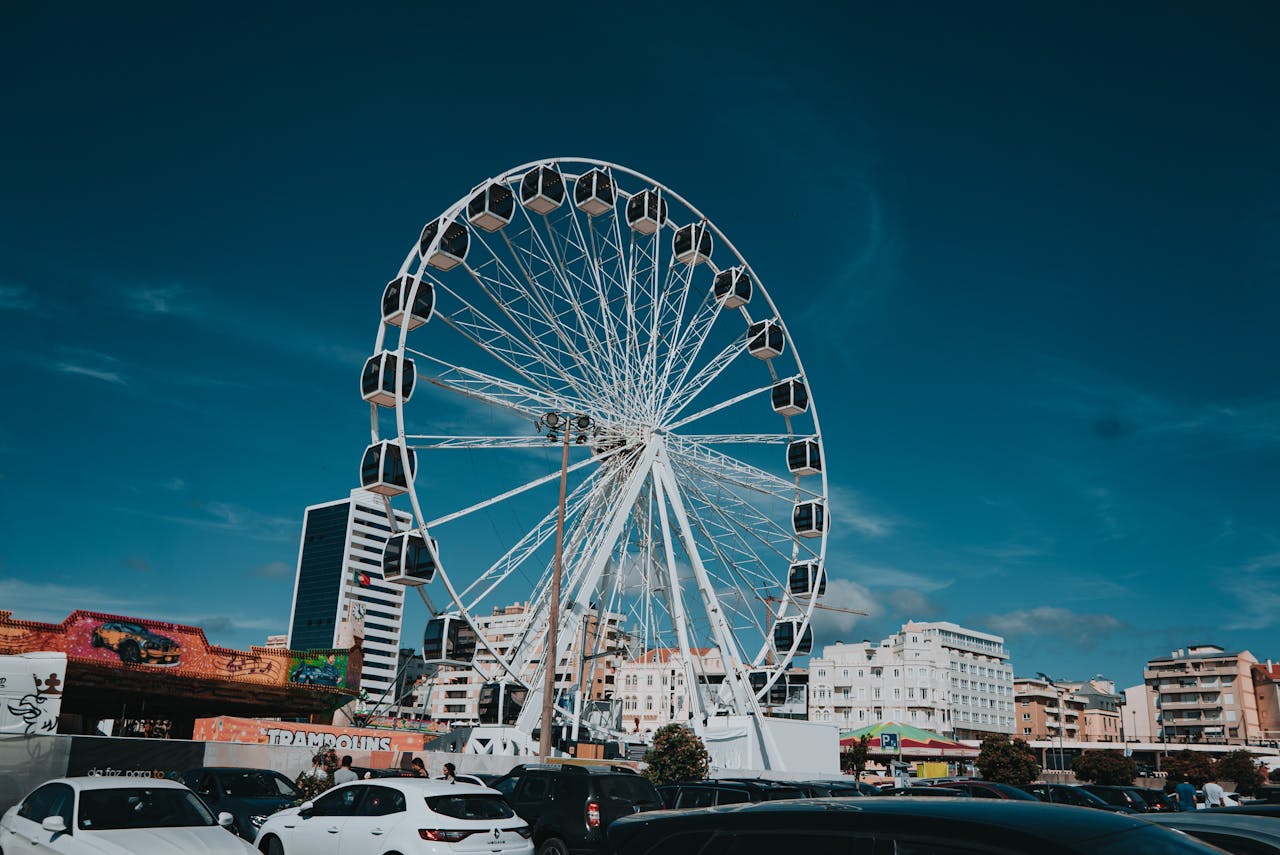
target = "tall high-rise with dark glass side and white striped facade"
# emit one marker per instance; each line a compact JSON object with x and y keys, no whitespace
{"x":340,"y":589}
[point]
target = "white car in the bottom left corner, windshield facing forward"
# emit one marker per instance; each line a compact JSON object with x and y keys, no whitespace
{"x":116,"y":816}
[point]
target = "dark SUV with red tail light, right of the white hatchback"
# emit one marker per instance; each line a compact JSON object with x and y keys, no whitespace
{"x":569,"y":807}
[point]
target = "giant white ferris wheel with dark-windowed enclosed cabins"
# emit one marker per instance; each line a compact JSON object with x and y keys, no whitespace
{"x":575,"y":304}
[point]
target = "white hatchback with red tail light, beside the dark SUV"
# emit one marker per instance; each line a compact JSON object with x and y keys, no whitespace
{"x":410,"y":816}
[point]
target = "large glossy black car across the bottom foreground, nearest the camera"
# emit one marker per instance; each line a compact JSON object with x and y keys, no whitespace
{"x":898,"y":827}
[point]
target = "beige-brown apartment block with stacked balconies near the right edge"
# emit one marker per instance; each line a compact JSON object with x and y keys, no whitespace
{"x":1204,"y":694}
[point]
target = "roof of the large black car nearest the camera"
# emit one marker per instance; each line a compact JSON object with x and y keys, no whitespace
{"x":1049,"y":822}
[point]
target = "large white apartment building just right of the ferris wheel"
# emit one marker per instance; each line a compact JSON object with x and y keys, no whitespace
{"x":934,"y":675}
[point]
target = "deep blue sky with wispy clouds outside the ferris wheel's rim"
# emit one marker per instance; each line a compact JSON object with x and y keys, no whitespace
{"x":1030,"y":257}
